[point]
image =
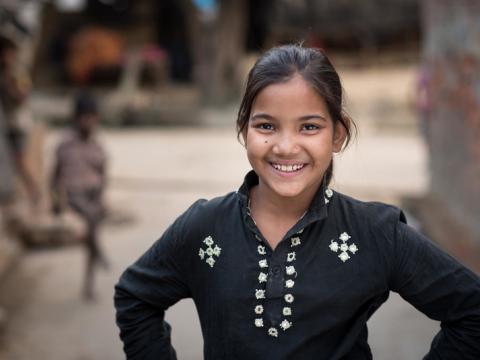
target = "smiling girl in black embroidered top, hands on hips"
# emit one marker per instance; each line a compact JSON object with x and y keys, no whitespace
{"x":287,"y":268}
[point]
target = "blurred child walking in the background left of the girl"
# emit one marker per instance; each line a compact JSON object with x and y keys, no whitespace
{"x":78,"y":180}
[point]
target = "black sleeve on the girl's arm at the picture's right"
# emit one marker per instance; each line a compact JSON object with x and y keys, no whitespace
{"x":443,"y":289}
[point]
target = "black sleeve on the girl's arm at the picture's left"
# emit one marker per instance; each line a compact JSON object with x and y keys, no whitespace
{"x":145,"y":290}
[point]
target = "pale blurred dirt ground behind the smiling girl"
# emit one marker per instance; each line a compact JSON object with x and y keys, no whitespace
{"x":156,"y":173}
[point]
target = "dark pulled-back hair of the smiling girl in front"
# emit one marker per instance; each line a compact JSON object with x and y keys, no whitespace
{"x":282,"y":63}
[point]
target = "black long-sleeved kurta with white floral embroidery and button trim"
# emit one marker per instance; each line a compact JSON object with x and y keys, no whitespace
{"x":308,"y":299}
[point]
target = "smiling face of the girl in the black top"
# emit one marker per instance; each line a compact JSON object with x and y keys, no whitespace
{"x":290,"y":139}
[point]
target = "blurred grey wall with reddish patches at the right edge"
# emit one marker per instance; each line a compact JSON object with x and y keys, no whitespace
{"x":452,"y":110}
